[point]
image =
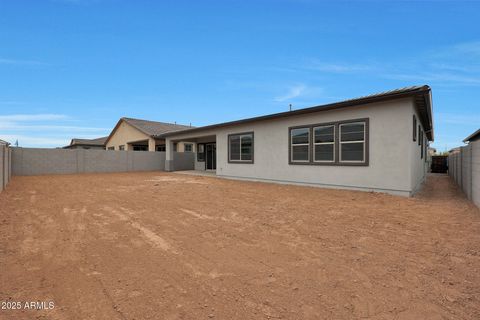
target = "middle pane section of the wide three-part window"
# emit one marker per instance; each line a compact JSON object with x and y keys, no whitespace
{"x":324,"y":143}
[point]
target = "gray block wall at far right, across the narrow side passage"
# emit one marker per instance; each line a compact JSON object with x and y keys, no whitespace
{"x":464,"y":168}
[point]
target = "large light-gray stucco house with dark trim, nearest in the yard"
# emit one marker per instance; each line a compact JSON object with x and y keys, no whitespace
{"x":373,"y":143}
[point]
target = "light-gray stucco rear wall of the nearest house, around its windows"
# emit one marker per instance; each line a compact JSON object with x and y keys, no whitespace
{"x":390,"y":147}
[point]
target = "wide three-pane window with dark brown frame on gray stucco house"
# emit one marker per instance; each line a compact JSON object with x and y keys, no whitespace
{"x":335,"y":143}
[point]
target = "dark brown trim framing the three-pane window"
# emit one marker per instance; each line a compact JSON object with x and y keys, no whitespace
{"x":366,"y":161}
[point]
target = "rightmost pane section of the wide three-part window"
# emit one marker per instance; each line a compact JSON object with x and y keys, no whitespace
{"x":352,"y":142}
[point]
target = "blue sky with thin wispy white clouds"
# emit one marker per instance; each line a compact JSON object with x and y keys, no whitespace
{"x":72,"y":68}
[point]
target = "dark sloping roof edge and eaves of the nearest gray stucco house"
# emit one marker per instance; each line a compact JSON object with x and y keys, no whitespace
{"x":421,"y":95}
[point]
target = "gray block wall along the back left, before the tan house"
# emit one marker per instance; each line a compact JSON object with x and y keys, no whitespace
{"x":35,"y":161}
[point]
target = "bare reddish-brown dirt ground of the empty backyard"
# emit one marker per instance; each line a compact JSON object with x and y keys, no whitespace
{"x":169,"y":246}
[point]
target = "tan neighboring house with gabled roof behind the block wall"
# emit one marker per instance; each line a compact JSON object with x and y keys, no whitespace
{"x":144,"y":135}
